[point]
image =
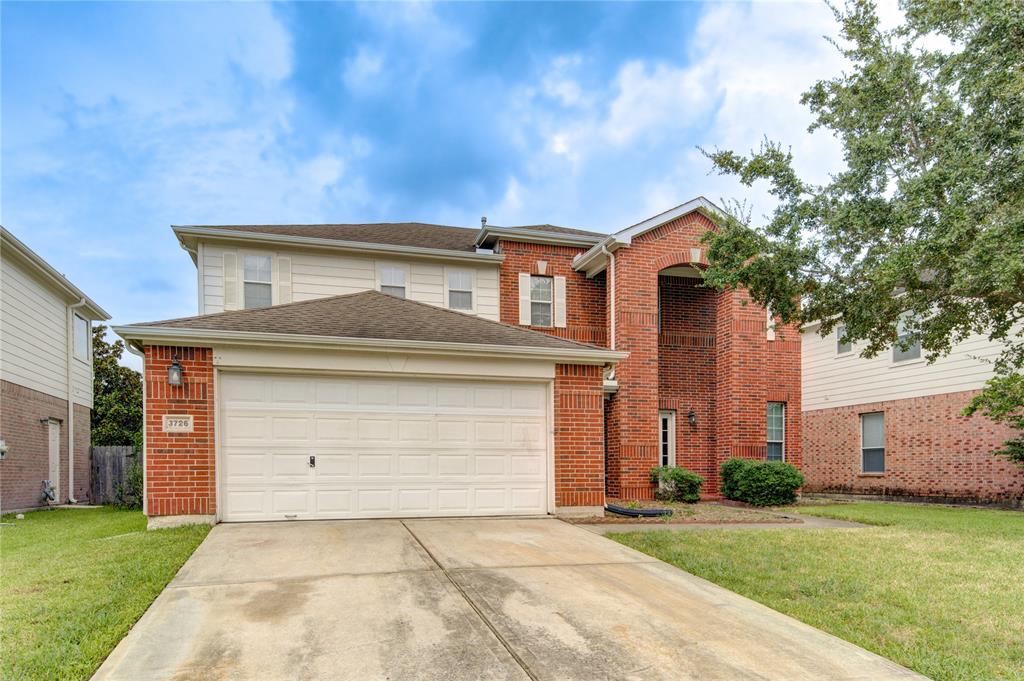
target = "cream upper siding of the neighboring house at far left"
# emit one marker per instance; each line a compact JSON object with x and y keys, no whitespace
{"x":34,"y":337}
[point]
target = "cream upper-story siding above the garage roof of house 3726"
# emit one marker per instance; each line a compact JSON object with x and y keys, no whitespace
{"x":321,"y":275}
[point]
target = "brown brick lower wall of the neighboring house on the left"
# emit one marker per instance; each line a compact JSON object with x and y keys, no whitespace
{"x":28,"y":460}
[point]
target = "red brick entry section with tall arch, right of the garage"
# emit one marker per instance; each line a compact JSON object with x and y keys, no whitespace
{"x":749,"y":370}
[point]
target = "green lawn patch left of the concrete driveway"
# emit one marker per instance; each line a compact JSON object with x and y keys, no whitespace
{"x":74,"y":581}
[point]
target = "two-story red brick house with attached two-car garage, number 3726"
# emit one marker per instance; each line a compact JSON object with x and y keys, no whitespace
{"x":407,"y":369}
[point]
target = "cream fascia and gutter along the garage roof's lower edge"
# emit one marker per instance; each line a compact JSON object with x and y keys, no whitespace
{"x":177,"y":336}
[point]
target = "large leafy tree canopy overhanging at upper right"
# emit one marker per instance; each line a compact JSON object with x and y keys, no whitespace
{"x":924,"y":227}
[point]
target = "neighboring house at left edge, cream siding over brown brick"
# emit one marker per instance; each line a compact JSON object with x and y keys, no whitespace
{"x":46,"y":365}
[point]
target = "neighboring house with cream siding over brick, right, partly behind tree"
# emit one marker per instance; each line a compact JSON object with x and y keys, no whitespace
{"x":891,"y":425}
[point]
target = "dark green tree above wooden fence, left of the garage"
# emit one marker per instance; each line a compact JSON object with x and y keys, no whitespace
{"x":117,"y":411}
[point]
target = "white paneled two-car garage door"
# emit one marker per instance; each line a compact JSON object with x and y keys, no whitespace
{"x":310,"y":447}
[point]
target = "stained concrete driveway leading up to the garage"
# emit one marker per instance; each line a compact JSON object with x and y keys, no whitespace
{"x":466,"y":600}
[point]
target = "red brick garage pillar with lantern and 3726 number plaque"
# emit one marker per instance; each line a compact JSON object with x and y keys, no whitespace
{"x":181,"y":467}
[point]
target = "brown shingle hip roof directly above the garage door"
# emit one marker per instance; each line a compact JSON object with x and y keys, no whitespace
{"x":371,"y":315}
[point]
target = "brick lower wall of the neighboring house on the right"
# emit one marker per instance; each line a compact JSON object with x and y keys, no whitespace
{"x":931,"y":451}
